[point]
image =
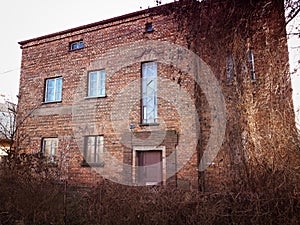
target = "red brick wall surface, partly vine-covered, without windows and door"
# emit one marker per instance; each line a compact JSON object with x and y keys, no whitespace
{"x":104,"y":43}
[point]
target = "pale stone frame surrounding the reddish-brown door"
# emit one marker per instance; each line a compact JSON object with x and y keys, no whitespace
{"x":149,"y":148}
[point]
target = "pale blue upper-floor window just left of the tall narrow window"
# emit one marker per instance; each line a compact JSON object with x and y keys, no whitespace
{"x":96,"y":84}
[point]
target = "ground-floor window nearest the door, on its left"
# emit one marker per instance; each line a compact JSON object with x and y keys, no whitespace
{"x":93,"y":149}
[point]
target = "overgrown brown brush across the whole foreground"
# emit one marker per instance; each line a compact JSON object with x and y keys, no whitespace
{"x":30,"y":199}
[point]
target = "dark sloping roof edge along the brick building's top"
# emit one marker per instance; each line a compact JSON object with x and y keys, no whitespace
{"x":114,"y":19}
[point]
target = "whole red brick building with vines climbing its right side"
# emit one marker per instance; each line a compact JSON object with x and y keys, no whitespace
{"x":181,"y":94}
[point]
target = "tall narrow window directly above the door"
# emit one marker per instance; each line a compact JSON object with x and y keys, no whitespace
{"x":149,"y":92}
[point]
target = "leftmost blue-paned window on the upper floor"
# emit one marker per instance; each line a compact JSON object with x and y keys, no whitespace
{"x":53,"y":89}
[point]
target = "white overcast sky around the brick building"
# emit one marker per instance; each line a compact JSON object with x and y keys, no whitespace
{"x":26,"y":19}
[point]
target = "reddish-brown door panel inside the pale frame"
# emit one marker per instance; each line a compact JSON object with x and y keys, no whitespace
{"x":149,"y":167}
